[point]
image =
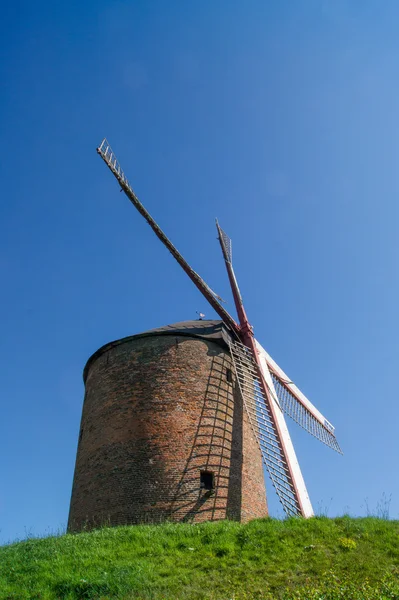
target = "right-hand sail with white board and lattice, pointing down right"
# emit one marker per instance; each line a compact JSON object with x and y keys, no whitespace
{"x":295,"y":404}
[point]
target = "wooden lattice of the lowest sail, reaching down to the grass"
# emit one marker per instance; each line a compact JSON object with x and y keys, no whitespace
{"x":262,"y":424}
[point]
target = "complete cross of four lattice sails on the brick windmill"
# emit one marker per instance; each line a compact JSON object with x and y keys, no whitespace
{"x":267,"y":392}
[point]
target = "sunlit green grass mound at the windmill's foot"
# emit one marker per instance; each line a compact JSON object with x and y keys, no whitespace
{"x":317,"y":559}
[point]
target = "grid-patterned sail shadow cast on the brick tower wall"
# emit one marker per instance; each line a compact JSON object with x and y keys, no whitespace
{"x":216,"y":448}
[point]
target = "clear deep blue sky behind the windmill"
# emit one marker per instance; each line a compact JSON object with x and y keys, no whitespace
{"x":279,"y":118}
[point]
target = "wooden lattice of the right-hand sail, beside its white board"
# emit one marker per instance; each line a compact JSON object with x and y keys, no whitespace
{"x":302,"y":416}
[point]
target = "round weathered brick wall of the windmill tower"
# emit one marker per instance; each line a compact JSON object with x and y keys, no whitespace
{"x":157,"y":411}
